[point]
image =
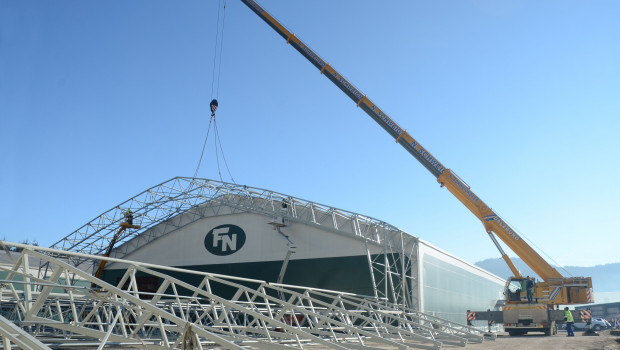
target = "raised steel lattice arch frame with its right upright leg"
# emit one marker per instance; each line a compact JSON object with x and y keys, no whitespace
{"x":180,"y":201}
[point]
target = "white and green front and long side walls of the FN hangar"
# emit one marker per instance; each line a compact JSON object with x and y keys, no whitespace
{"x":446,"y":285}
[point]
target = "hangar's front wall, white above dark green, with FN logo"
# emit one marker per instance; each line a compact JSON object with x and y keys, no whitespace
{"x":322,"y":259}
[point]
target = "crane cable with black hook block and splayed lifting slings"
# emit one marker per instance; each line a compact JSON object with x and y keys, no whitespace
{"x":219,"y":39}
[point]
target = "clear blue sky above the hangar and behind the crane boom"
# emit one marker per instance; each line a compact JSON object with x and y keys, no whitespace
{"x":100,"y":100}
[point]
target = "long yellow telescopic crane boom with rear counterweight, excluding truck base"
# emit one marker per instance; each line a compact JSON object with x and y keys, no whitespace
{"x":572,"y":290}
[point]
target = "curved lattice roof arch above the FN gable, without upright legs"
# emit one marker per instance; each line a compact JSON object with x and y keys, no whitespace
{"x":182,"y":195}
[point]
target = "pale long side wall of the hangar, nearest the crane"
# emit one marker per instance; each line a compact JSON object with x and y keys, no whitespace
{"x":450,"y":286}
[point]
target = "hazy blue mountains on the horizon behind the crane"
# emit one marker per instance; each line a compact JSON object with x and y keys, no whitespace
{"x":605,"y":278}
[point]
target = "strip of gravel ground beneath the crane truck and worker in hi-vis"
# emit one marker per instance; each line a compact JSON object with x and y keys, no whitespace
{"x":604,"y":341}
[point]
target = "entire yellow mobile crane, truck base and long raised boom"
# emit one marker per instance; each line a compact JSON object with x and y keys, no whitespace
{"x":553,"y":290}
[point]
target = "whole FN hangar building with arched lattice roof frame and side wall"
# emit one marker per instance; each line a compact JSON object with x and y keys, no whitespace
{"x":237,"y":230}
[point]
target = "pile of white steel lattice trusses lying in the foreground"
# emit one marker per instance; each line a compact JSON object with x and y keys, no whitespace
{"x":67,"y":307}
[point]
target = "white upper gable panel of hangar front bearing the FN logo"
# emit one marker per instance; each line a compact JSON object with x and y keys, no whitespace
{"x":261,"y":242}
